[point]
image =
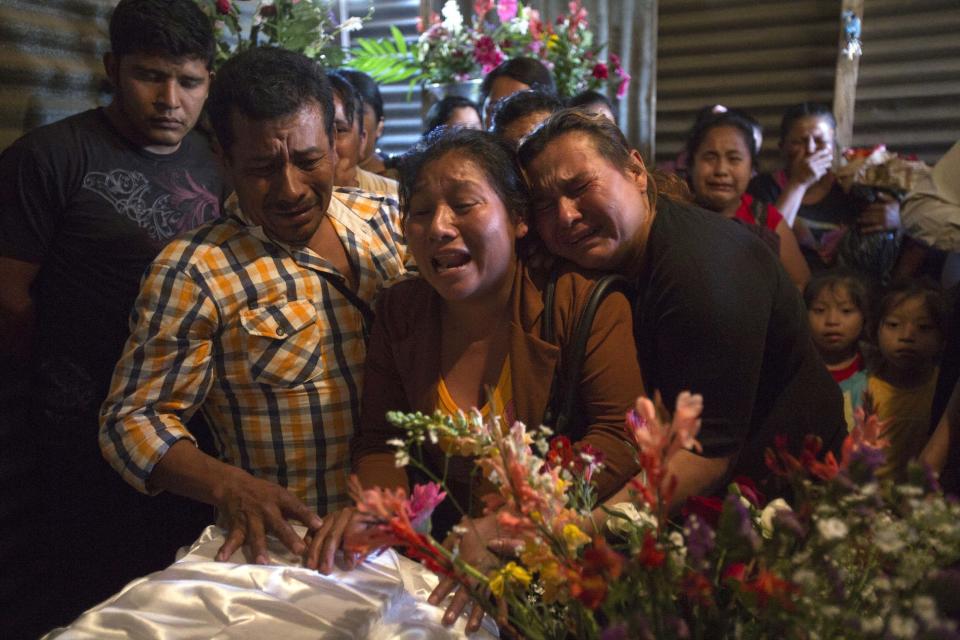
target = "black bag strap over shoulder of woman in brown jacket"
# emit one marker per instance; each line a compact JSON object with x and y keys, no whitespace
{"x":563,"y":396}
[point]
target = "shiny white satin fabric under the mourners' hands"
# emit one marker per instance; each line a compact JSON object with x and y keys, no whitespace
{"x":196,"y":597}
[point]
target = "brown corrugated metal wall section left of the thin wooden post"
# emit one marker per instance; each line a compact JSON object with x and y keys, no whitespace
{"x":750,"y":54}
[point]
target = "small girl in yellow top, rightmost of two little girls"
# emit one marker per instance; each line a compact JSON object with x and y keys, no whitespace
{"x":910,"y":336}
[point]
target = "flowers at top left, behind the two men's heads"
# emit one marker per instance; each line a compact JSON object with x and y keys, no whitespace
{"x":305,"y":26}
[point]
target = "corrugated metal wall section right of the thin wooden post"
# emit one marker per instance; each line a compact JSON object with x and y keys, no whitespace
{"x":908,"y":94}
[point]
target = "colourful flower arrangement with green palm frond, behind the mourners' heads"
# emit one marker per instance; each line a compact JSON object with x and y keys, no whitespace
{"x":450,"y":50}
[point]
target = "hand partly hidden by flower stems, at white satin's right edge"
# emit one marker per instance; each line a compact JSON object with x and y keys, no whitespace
{"x":473,"y":551}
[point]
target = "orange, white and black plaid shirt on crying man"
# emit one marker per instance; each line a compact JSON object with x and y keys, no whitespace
{"x":246,"y":329}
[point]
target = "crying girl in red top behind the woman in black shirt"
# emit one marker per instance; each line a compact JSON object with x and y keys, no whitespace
{"x":722,"y":149}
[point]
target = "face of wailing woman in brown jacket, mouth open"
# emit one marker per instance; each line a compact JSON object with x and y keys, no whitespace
{"x":460,"y":231}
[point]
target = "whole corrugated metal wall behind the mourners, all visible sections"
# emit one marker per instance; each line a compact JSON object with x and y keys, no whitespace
{"x":759,"y":55}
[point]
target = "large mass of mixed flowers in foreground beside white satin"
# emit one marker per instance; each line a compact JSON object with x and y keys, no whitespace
{"x":854,"y":557}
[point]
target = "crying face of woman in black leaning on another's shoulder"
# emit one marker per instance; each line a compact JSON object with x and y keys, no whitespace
{"x":586,"y":209}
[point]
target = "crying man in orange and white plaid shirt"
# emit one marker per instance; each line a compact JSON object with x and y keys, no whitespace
{"x":259,"y":321}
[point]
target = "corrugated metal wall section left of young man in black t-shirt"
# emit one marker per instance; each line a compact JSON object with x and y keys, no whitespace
{"x":50,"y":61}
